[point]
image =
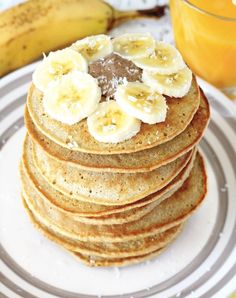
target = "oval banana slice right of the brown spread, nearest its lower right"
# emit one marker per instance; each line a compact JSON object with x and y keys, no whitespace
{"x":141,"y":101}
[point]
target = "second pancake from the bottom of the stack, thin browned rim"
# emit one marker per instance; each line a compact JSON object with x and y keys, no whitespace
{"x":102,"y":249}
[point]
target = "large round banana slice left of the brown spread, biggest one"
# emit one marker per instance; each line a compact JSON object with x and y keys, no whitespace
{"x":72,"y":97}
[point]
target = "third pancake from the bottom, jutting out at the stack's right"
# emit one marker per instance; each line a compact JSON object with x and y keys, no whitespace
{"x":173,"y":211}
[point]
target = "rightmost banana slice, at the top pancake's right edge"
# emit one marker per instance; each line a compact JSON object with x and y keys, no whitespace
{"x":175,"y":85}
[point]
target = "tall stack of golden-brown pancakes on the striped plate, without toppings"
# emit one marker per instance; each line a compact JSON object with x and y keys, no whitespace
{"x":114,"y":204}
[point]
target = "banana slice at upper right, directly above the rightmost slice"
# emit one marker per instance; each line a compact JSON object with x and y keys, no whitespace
{"x":165,"y":59}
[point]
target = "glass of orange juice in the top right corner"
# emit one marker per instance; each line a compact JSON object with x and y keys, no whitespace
{"x":205,"y":33}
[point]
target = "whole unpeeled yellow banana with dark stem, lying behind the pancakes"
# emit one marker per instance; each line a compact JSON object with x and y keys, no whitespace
{"x":36,"y":26}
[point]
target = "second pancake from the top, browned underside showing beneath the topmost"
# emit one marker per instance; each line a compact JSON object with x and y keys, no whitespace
{"x":141,"y":161}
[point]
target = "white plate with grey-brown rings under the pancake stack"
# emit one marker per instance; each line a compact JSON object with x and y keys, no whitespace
{"x":200,"y":263}
